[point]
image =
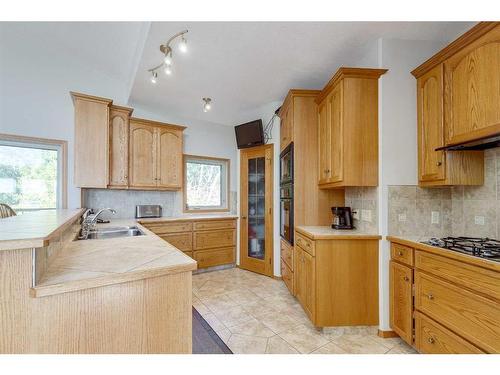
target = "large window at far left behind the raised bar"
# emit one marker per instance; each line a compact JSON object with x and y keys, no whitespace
{"x":32,"y":173}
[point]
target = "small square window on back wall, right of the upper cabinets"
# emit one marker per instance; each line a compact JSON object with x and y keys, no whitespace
{"x":206,"y":183}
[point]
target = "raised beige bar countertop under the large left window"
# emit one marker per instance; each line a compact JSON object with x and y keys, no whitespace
{"x":34,"y":229}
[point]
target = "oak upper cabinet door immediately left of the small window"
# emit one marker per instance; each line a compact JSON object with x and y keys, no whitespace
{"x":169,"y":168}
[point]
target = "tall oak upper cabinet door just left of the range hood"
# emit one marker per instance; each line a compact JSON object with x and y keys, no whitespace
{"x":430,"y":125}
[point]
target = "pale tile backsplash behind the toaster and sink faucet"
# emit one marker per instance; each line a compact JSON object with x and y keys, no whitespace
{"x":124,"y":201}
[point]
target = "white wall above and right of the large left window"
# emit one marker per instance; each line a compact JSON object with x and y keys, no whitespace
{"x":35,"y":80}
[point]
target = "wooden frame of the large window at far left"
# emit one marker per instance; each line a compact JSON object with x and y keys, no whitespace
{"x":62,"y":162}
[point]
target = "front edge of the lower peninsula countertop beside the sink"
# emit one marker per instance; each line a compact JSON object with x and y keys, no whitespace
{"x":112,"y":279}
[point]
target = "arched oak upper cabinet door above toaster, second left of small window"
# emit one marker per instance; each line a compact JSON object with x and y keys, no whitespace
{"x":142,"y":166}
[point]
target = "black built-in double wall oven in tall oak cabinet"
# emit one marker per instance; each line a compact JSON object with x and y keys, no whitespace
{"x":286,"y":194}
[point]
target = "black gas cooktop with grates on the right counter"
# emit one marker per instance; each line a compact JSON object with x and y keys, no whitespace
{"x":486,"y":248}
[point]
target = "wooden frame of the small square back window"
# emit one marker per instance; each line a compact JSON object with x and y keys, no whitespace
{"x":185,"y":207}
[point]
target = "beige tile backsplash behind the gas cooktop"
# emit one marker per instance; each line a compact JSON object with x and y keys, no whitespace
{"x":457,"y":211}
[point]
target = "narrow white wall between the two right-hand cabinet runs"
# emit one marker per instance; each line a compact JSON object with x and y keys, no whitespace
{"x":397,"y":136}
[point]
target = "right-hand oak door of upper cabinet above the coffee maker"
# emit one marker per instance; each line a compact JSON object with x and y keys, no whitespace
{"x":335,"y":108}
